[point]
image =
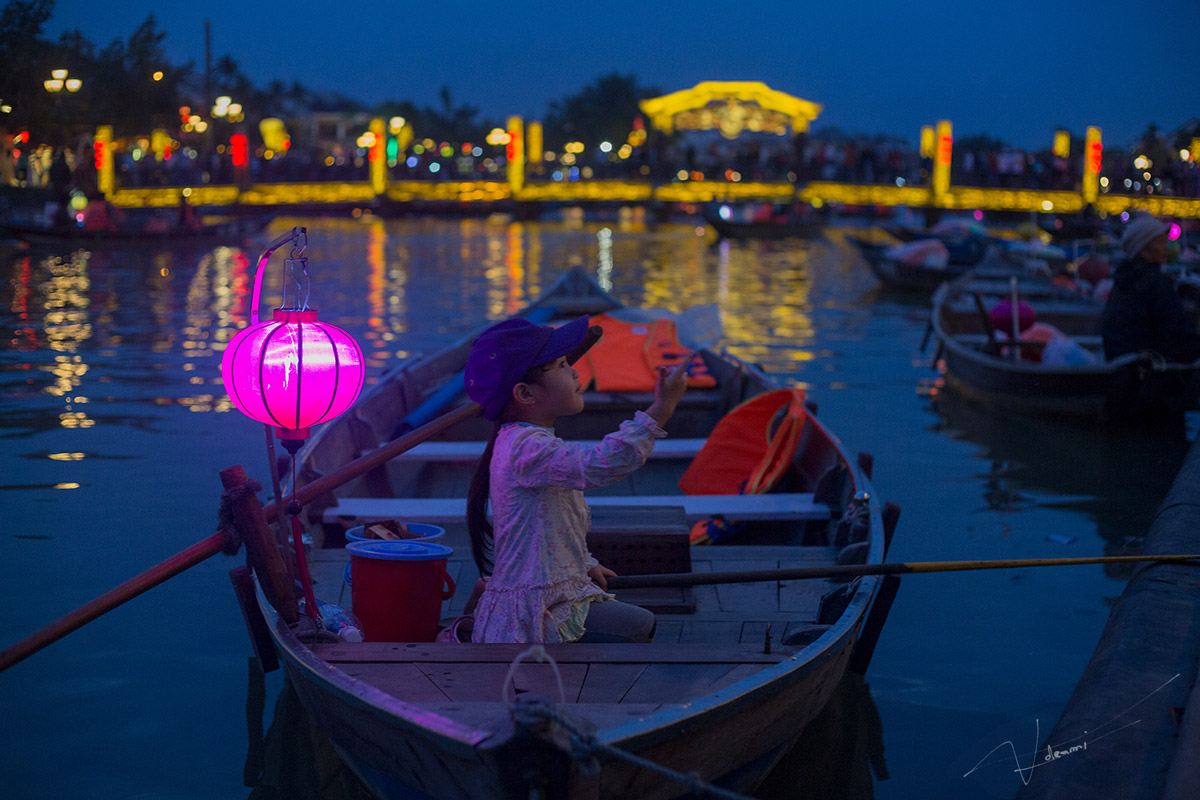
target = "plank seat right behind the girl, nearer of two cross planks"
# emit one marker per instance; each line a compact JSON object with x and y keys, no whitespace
{"x":697,"y":507}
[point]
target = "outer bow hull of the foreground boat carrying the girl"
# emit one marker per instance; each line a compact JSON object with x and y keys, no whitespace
{"x":399,"y":751}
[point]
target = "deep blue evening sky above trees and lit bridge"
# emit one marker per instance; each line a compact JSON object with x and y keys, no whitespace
{"x":1015,"y":70}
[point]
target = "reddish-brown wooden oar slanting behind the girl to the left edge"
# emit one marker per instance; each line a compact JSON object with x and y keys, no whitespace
{"x":220,"y":542}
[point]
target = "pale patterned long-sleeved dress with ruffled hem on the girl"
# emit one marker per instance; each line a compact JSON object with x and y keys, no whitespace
{"x":541,"y":591}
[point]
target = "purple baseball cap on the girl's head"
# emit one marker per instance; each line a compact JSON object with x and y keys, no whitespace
{"x":506,"y":352}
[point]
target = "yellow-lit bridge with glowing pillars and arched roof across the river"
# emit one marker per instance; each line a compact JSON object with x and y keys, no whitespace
{"x":727,"y":107}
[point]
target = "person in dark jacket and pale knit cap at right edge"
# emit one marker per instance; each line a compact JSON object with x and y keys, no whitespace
{"x":1144,"y":316}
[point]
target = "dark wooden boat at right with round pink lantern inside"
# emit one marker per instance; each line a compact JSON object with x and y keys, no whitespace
{"x":981,"y":368}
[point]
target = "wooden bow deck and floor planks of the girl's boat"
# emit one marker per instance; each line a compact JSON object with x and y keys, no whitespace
{"x":693,"y":654}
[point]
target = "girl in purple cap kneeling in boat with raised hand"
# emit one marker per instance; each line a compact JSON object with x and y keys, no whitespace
{"x":544,"y":585}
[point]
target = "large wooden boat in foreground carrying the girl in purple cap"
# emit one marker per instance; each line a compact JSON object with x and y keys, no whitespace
{"x":734,"y":673}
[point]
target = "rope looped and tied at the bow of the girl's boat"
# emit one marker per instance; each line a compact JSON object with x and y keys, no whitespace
{"x":581,"y":744}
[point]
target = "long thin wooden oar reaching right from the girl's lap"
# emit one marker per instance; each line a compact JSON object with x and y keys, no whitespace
{"x":856,"y":570}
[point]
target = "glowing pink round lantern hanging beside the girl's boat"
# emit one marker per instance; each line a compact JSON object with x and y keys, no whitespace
{"x":293,"y":372}
